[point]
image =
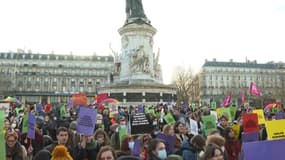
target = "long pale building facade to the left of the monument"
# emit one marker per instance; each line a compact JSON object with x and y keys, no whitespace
{"x":51,"y":78}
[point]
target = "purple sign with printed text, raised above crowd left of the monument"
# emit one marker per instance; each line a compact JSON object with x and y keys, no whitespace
{"x":86,"y":121}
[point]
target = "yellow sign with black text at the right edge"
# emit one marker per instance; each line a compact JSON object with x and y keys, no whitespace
{"x":275,"y":129}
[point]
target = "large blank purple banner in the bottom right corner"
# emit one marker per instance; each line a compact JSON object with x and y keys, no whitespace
{"x":264,"y":150}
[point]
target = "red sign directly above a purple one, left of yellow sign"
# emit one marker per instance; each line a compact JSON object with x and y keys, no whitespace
{"x":250,"y":123}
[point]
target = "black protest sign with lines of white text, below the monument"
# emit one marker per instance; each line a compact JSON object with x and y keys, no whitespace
{"x":140,"y":124}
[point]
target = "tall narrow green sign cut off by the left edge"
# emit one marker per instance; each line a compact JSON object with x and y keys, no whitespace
{"x":2,"y":138}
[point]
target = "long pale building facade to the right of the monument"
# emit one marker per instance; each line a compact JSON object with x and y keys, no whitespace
{"x":218,"y":79}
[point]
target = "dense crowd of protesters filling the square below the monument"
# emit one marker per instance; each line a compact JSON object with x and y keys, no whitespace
{"x":56,"y":136}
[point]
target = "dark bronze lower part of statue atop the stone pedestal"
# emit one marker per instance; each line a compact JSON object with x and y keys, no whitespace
{"x":134,"y":9}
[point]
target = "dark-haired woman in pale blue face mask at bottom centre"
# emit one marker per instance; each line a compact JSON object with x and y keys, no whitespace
{"x":157,"y":150}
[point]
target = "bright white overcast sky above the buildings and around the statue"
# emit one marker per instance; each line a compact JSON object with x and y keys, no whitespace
{"x":189,"y":31}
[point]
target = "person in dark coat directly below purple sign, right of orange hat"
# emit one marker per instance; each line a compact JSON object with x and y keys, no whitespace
{"x":86,"y":149}
